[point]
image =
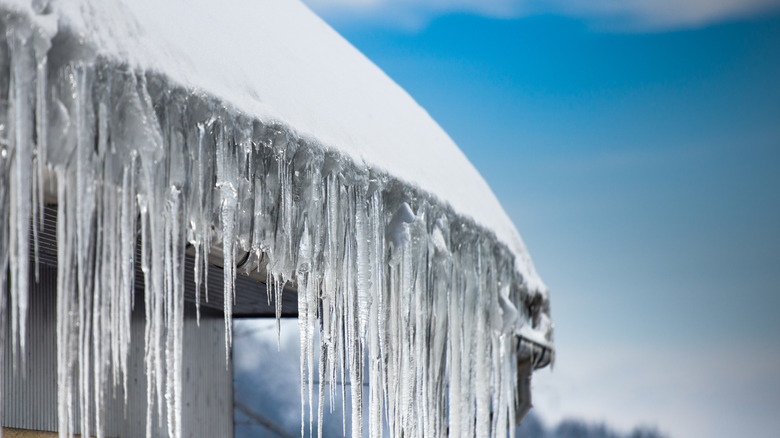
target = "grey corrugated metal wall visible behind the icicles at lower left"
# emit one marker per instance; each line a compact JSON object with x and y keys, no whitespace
{"x":30,"y":390}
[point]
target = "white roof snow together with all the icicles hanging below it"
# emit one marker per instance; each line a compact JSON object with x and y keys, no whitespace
{"x":303,"y":155}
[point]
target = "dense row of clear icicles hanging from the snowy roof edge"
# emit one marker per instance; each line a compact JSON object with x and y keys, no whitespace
{"x":402,"y":293}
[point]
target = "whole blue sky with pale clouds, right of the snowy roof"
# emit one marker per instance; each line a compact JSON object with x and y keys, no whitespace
{"x":636,"y":147}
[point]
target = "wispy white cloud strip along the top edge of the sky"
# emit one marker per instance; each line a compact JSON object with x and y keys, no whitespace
{"x":626,"y":15}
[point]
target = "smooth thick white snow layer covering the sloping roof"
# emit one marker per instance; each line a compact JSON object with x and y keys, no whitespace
{"x":276,"y":60}
